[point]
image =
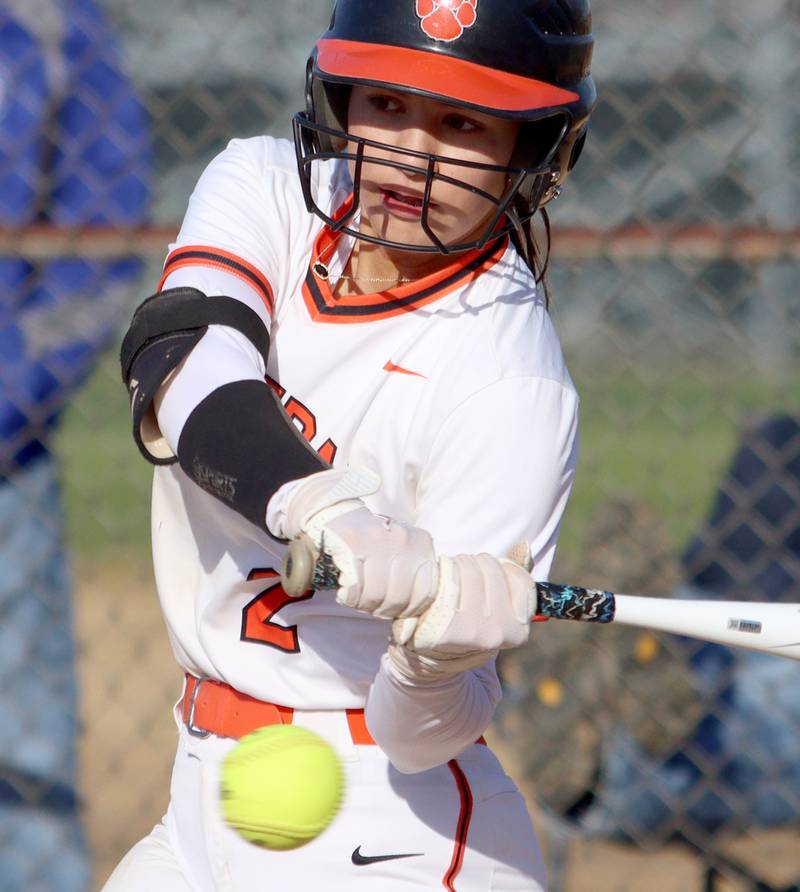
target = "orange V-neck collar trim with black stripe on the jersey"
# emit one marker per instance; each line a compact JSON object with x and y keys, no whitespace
{"x":323,"y":306}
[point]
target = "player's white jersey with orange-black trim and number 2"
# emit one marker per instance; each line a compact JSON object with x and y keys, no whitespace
{"x":453,"y":388}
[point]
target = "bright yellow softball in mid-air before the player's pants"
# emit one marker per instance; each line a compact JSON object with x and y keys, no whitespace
{"x":281,"y":786}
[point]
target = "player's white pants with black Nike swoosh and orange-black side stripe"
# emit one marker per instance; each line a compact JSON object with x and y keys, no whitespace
{"x":464,"y":825}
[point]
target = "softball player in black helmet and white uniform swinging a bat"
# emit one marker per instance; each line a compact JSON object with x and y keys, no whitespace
{"x":385,"y":301}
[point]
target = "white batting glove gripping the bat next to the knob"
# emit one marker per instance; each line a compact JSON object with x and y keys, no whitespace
{"x":386,"y":568}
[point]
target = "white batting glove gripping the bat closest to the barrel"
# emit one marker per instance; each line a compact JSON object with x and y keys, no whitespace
{"x":483,"y":604}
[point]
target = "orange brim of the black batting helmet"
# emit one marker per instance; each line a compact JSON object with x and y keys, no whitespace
{"x":466,"y":82}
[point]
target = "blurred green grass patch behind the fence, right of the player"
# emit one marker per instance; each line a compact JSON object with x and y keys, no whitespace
{"x":663,"y":443}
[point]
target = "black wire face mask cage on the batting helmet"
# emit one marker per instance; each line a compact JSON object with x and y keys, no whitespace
{"x":315,"y":142}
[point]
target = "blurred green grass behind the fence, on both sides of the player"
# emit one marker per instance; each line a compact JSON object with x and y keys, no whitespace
{"x":656,"y":438}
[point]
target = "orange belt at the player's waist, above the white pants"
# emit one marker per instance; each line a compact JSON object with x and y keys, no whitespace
{"x":209,"y":706}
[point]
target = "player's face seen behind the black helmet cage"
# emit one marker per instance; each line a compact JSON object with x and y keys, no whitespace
{"x":391,"y":198}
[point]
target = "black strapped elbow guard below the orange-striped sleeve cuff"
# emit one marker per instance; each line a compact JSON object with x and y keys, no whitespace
{"x":163,"y":331}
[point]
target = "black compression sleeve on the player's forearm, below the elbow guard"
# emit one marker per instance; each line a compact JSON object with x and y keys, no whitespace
{"x":239,"y":445}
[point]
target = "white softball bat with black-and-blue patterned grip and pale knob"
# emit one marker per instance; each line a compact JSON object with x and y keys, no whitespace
{"x":754,"y":625}
